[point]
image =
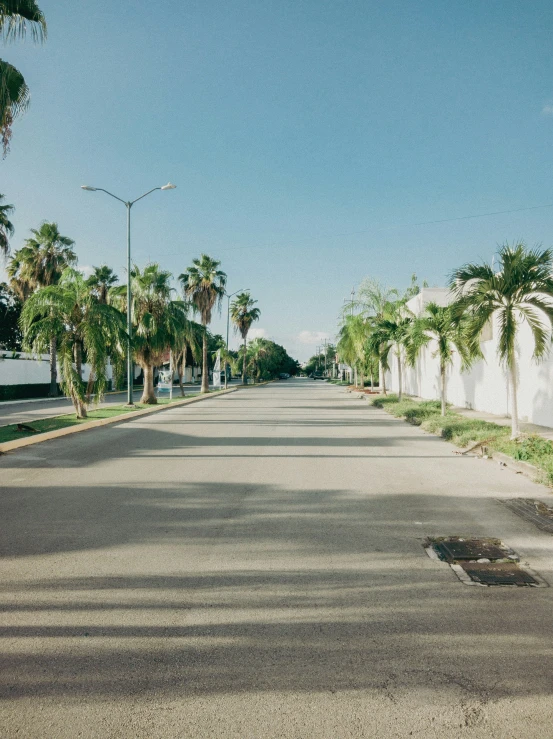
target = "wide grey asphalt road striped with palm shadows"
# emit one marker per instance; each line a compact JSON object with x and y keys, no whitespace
{"x":252,"y":566}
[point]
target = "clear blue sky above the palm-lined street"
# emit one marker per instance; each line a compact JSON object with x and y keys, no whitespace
{"x":306,"y":139}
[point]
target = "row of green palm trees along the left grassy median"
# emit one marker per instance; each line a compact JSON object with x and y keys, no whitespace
{"x":76,"y":319}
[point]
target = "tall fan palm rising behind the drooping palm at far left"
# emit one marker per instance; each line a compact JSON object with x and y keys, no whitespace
{"x":40,"y":263}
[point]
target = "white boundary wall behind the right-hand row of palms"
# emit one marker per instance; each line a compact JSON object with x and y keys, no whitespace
{"x":485,"y":386}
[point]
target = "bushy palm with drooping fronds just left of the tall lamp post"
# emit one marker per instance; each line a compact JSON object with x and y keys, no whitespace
{"x":69,"y":312}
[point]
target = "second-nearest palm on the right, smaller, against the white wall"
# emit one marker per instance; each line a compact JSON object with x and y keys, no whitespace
{"x":441,"y":325}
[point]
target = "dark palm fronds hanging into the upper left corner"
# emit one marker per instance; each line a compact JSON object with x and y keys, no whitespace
{"x":16,"y":17}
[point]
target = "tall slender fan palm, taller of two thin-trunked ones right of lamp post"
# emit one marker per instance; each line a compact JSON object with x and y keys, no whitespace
{"x":204,"y":285}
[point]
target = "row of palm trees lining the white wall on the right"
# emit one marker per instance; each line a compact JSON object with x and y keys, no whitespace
{"x":378,"y":327}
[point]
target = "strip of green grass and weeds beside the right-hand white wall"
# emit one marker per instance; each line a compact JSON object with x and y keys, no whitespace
{"x":461,"y":430}
